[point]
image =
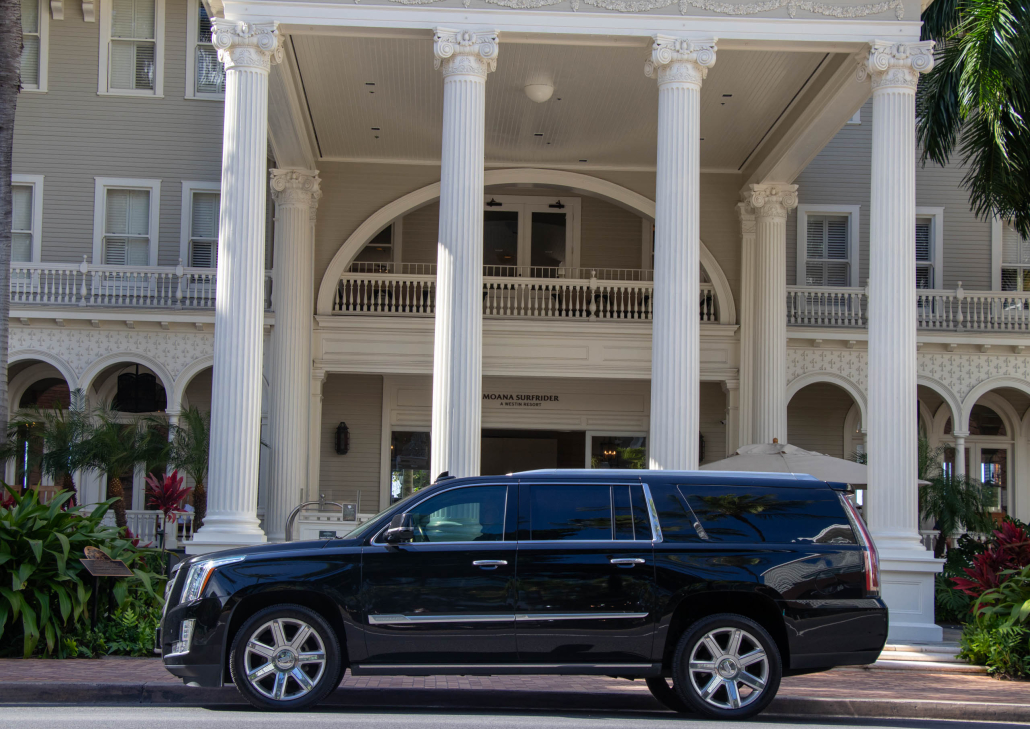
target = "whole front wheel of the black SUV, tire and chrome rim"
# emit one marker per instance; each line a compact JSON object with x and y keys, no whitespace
{"x":273,"y":671}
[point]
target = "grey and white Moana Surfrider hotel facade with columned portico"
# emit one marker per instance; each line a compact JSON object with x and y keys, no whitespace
{"x":385,"y":239}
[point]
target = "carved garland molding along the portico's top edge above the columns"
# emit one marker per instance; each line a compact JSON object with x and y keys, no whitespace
{"x":724,"y":9}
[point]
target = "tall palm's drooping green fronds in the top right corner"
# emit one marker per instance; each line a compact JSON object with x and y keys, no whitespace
{"x":977,"y":101}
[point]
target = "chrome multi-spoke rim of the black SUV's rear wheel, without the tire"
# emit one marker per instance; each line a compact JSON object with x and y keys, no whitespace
{"x":729,"y":669}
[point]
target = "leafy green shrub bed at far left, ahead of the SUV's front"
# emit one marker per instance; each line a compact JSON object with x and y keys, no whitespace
{"x":45,"y":591}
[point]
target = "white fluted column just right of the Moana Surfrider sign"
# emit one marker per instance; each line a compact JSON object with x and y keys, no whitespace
{"x":680,"y":66}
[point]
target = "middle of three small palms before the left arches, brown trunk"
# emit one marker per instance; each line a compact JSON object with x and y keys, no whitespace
{"x":115,"y":448}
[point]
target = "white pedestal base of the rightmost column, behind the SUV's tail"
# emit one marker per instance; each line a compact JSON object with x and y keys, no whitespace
{"x":907,"y":578}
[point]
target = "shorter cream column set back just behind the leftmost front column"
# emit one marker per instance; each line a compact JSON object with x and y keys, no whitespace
{"x":296,"y":194}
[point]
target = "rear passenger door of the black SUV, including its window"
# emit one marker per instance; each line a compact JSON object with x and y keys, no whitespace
{"x":587,"y":589}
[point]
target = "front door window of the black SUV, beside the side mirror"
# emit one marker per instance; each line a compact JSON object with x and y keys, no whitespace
{"x":474,"y":514}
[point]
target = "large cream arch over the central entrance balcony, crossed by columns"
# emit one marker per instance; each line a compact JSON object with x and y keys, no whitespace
{"x":557,"y":179}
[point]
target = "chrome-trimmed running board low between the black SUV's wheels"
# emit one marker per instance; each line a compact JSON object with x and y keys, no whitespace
{"x":640,"y":671}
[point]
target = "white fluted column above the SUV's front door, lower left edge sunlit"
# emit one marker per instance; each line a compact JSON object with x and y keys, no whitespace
{"x":465,"y":57}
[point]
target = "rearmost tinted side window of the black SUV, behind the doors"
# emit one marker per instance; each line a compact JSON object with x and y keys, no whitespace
{"x":765,"y":514}
